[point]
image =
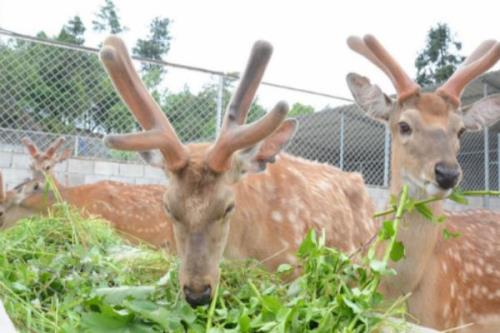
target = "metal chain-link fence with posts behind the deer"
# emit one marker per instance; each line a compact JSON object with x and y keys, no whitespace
{"x":48,"y":89}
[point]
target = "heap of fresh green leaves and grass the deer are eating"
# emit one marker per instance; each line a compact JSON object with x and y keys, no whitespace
{"x":63,"y":273}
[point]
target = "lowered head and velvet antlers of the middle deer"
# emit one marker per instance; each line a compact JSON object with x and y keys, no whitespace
{"x":199,"y":199}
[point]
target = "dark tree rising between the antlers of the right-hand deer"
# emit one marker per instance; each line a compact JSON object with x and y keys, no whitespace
{"x":440,"y":56}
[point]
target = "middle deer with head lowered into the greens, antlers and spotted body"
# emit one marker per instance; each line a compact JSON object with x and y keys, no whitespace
{"x":214,"y":209}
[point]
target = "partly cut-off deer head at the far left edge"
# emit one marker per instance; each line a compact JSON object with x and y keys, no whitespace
{"x":11,"y":209}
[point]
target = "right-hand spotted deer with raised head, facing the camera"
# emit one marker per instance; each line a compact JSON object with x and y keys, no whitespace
{"x":451,"y":282}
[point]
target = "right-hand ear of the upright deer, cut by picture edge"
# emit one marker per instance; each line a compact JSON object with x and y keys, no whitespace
{"x":483,"y":113}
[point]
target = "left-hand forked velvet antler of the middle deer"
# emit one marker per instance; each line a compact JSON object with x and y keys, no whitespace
{"x":158,"y":133}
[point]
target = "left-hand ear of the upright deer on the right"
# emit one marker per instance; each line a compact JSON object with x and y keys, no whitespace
{"x":370,"y":97}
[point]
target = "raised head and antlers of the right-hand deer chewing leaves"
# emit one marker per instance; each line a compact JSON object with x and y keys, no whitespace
{"x":425,"y":127}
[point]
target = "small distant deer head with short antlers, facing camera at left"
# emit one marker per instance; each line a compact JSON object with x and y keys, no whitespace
{"x":44,"y":161}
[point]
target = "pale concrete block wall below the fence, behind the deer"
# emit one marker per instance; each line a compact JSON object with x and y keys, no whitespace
{"x":15,"y":168}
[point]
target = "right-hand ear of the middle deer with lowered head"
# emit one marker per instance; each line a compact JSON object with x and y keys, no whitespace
{"x":256,"y":158}
